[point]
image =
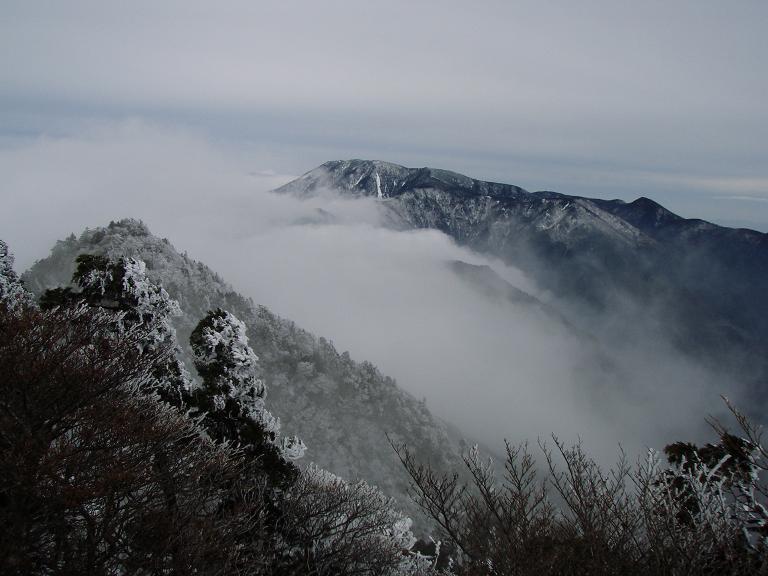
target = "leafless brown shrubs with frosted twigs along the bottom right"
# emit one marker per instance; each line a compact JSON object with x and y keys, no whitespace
{"x":577,"y":518}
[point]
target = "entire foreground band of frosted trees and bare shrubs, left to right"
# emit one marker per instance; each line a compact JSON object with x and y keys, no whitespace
{"x":114,"y":461}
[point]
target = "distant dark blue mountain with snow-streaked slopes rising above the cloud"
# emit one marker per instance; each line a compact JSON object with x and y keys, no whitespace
{"x":707,"y":282}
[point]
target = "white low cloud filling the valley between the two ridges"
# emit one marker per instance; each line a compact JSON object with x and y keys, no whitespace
{"x":493,"y":369}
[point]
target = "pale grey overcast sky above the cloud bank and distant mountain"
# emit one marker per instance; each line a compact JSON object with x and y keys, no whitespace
{"x":610,"y":99}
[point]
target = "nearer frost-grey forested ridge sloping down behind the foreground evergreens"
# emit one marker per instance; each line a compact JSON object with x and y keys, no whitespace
{"x":343,"y":409}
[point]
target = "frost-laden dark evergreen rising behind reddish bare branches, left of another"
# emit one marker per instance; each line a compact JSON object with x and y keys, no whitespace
{"x":123,"y":287}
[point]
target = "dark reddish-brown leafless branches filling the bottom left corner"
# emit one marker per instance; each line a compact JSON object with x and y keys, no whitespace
{"x":98,"y":477}
